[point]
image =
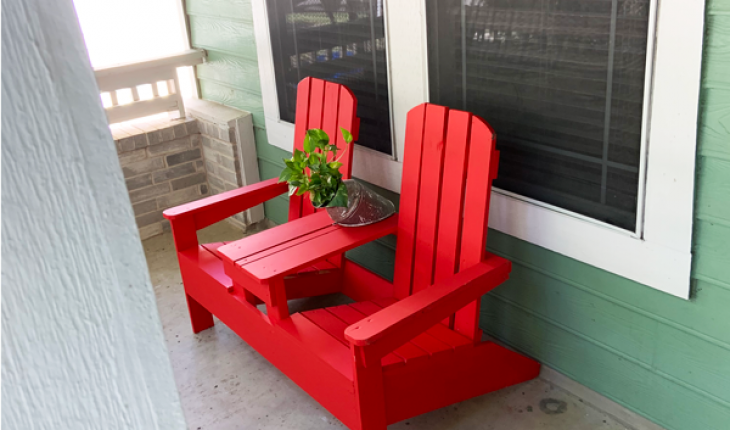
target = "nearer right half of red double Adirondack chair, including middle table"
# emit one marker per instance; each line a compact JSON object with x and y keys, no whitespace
{"x":402,"y":348}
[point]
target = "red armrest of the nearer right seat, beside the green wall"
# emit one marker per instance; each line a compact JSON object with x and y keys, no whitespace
{"x":402,"y":321}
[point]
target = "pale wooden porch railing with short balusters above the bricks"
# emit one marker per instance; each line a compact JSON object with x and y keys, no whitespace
{"x":131,"y":77}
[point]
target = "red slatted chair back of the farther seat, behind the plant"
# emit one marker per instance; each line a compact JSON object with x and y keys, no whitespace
{"x":329,"y":106}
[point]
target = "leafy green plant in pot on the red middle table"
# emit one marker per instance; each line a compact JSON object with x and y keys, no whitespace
{"x":316,"y":172}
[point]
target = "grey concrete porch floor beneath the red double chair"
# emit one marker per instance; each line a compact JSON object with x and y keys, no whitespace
{"x":225,"y":384}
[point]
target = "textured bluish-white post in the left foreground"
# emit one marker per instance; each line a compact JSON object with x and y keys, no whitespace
{"x":82,"y":344}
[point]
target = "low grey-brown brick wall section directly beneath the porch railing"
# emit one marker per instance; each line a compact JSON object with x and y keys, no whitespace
{"x":163,"y":165}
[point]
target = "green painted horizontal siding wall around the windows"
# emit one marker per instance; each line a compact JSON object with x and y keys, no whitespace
{"x":663,"y":357}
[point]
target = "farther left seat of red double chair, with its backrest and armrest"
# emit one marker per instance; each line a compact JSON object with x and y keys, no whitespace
{"x":320,"y":104}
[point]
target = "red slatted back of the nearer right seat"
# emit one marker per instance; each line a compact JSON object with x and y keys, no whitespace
{"x":449,"y":164}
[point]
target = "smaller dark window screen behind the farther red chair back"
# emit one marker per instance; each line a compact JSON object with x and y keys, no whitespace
{"x":341,"y":41}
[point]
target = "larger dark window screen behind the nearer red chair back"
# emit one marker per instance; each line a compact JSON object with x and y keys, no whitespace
{"x":561,"y":82}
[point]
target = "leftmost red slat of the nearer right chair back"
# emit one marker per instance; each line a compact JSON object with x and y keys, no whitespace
{"x":408,"y":213}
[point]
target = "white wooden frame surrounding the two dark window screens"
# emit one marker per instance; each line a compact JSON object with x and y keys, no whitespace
{"x":658,"y":254}
